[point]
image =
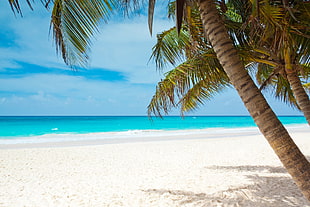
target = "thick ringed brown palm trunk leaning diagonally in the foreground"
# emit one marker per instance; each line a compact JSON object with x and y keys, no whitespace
{"x":266,"y":120}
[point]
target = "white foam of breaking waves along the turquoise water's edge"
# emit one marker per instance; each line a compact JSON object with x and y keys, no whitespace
{"x":209,"y":132}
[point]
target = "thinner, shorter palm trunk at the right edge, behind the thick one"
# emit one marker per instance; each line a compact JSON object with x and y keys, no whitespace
{"x":300,"y":94}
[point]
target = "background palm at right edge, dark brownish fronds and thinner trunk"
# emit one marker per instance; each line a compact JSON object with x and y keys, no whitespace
{"x":279,"y":35}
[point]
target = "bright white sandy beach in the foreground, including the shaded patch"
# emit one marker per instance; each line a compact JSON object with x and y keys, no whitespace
{"x":231,"y":171}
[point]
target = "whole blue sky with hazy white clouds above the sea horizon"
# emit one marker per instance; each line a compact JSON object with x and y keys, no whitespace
{"x":120,"y":79}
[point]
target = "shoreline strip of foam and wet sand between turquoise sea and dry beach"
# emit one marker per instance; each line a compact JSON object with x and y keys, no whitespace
{"x":67,"y":140}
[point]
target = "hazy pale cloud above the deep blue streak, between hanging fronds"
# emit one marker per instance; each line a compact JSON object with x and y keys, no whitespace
{"x":127,"y":47}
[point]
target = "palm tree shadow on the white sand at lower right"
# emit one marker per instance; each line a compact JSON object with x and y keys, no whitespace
{"x":276,"y":190}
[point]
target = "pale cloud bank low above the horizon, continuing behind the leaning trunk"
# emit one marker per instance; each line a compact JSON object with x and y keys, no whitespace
{"x":67,"y":95}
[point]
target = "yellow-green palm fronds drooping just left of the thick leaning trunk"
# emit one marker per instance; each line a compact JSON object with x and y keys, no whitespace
{"x":198,"y":78}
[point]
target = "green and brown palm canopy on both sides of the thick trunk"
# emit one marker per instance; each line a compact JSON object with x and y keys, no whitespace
{"x":254,"y":49}
